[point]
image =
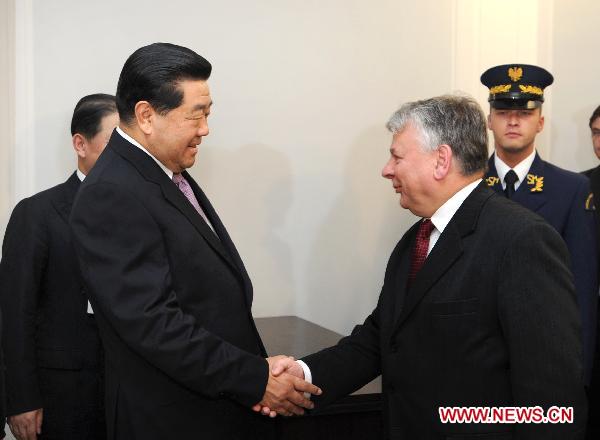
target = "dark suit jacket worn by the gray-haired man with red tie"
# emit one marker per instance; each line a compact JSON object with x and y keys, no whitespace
{"x":490,"y":320}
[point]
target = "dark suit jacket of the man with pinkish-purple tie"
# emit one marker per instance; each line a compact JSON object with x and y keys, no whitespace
{"x":173,"y":303}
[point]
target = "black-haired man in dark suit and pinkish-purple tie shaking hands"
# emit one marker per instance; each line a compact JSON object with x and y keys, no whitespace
{"x":168,"y":287}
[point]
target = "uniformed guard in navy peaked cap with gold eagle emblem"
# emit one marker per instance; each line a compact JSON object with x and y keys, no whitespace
{"x":560,"y":196}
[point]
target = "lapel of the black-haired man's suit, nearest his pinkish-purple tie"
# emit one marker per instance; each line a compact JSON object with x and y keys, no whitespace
{"x":148,"y":168}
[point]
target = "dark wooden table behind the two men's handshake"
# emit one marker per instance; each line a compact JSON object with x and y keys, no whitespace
{"x":357,"y":416}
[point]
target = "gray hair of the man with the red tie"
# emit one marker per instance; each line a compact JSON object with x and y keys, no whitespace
{"x":455,"y":120}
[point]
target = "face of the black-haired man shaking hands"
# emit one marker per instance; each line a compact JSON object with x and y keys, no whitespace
{"x":177,"y":134}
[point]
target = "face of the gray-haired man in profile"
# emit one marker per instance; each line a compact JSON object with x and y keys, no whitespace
{"x":411,"y":169}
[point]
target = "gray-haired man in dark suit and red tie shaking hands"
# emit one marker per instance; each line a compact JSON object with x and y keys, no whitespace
{"x":477,"y":307}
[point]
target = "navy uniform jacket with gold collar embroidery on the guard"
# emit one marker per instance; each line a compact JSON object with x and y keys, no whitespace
{"x":562,"y":200}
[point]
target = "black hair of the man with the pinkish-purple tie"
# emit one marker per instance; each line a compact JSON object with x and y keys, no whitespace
{"x":153,"y":73}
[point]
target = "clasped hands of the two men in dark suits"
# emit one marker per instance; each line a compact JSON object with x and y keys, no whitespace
{"x":286,"y":389}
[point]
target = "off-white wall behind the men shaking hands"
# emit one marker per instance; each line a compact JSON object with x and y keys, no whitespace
{"x":302,"y":90}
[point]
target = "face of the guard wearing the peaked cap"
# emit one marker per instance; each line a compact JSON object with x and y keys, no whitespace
{"x":515,"y":130}
